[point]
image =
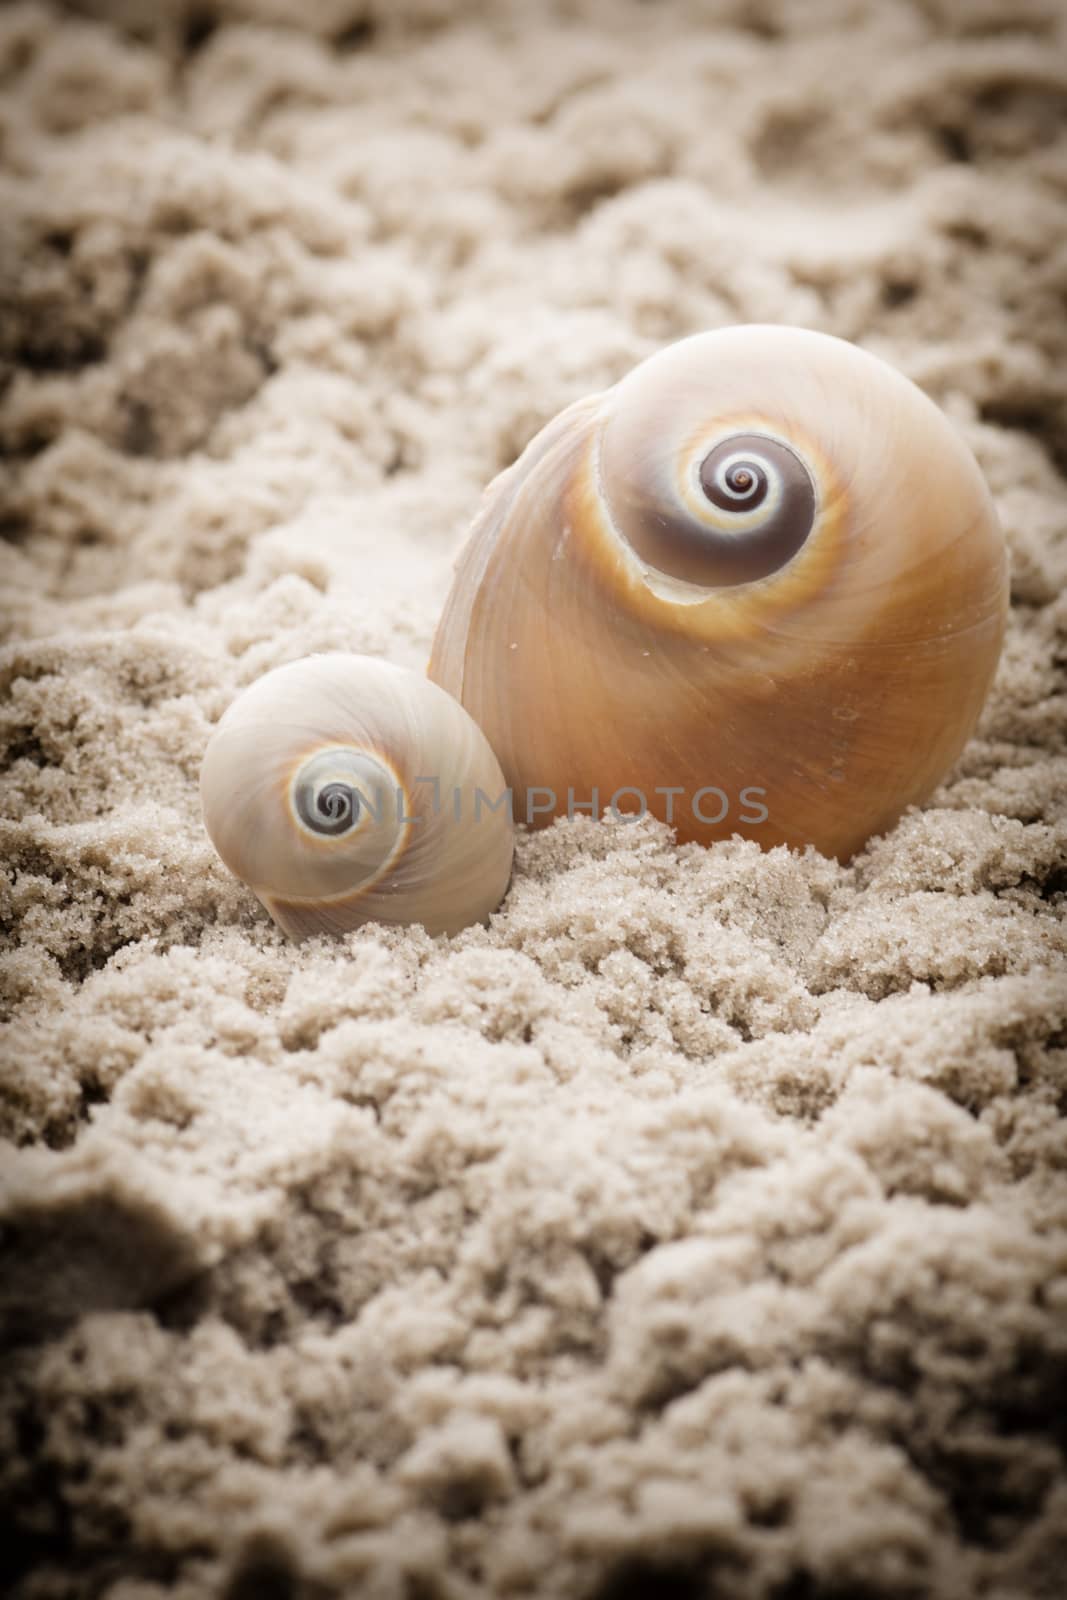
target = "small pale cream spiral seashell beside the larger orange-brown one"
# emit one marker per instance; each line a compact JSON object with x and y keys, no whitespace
{"x":345,"y":790}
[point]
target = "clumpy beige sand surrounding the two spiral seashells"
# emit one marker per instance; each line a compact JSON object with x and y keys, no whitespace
{"x":700,"y":1228}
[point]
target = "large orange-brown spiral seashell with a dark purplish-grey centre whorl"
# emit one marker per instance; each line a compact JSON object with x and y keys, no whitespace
{"x":757,"y":588}
